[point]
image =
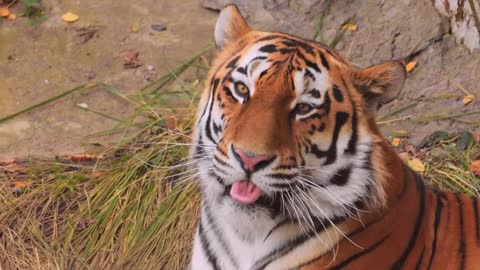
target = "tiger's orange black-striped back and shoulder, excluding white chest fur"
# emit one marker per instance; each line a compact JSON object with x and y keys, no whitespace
{"x":418,"y":228}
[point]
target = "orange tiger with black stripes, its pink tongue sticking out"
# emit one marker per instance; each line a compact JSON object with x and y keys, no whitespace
{"x":294,"y":172}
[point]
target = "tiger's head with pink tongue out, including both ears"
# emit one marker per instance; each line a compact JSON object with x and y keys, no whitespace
{"x":286,"y":128}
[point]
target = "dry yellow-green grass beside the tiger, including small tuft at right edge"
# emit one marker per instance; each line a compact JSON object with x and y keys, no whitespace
{"x":135,"y":208}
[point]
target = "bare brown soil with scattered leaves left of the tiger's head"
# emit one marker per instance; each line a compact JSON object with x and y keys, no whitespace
{"x":41,"y":61}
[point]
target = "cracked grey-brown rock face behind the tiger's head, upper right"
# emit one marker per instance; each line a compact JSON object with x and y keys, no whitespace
{"x":407,"y":29}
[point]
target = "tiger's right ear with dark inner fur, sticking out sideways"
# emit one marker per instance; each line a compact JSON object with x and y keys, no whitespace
{"x":380,"y":84}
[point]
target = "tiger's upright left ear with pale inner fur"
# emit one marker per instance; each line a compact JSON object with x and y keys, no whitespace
{"x":230,"y":26}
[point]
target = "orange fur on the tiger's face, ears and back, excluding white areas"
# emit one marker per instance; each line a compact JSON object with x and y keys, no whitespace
{"x":405,"y":224}
